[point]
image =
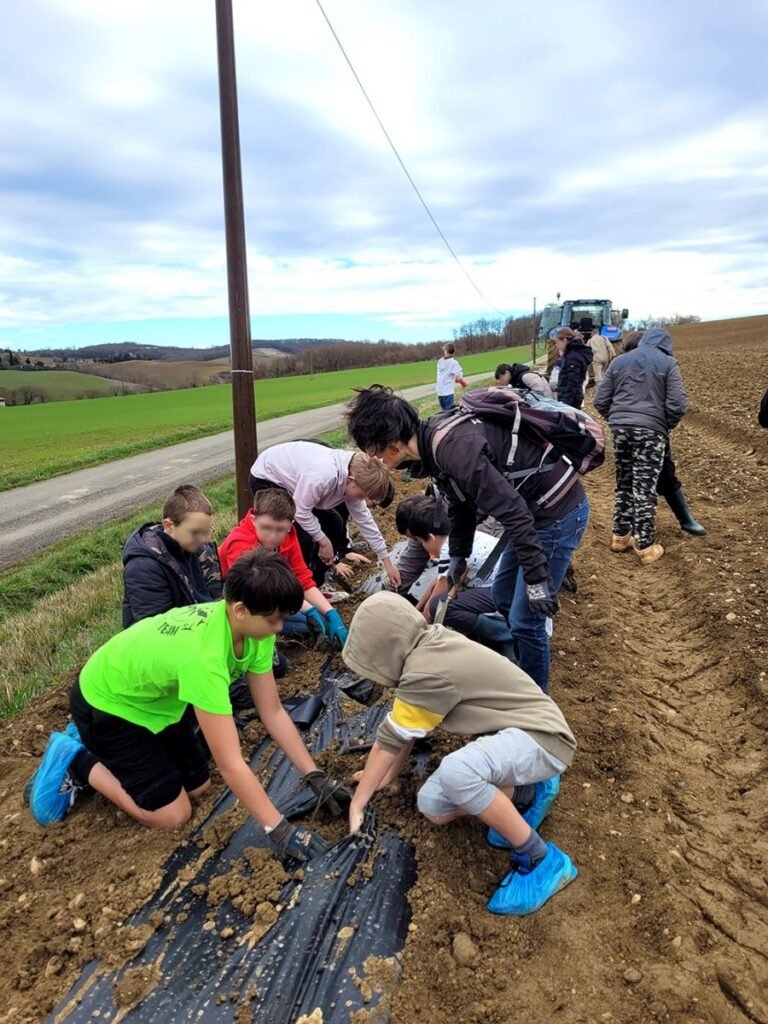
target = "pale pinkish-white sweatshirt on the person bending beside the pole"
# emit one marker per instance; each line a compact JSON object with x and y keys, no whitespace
{"x":316,"y":478}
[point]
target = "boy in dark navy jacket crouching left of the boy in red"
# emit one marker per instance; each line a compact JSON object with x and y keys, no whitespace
{"x":173,"y":564}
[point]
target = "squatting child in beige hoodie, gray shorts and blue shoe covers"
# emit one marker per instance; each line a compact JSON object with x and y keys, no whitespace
{"x":508,"y":778}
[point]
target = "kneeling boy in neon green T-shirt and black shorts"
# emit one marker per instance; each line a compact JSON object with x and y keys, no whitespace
{"x":137,"y":700}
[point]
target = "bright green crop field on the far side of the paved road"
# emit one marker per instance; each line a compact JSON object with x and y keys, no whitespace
{"x":40,"y":442}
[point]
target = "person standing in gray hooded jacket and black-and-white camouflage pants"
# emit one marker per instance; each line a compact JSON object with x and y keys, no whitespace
{"x":644,"y":399}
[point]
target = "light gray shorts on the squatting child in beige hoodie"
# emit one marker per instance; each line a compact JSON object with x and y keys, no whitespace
{"x":468,"y":779}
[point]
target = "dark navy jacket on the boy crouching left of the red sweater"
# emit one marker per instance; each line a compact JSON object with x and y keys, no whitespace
{"x":159,"y":575}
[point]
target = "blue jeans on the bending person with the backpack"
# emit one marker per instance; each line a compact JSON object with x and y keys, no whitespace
{"x":529,"y":628}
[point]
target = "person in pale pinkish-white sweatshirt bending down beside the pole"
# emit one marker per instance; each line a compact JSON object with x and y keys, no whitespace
{"x":328,"y":486}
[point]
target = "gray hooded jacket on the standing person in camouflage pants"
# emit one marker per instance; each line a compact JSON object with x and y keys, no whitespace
{"x":645,"y":389}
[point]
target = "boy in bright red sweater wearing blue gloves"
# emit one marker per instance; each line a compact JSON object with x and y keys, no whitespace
{"x":270,"y":526}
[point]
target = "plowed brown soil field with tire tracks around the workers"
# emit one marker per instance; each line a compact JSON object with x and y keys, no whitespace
{"x":662,"y":674}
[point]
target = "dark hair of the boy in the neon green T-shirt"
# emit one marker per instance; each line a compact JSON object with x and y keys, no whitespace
{"x":264,"y":582}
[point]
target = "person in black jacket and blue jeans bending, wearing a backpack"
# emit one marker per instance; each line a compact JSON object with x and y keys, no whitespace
{"x":468,"y":466}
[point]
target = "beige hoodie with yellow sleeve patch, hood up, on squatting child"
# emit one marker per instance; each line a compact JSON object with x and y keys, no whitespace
{"x":443,"y":679}
